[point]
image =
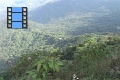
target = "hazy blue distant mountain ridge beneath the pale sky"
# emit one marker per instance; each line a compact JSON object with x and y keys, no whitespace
{"x":65,"y":7}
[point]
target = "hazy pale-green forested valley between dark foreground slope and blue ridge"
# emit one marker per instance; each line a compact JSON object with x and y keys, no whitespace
{"x":58,"y":33}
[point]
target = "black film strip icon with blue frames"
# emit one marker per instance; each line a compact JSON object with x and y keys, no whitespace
{"x":17,"y":17}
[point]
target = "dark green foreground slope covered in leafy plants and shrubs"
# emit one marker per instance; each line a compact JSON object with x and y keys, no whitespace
{"x":92,"y":59}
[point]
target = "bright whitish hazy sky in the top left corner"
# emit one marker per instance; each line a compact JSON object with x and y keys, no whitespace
{"x":31,"y":4}
